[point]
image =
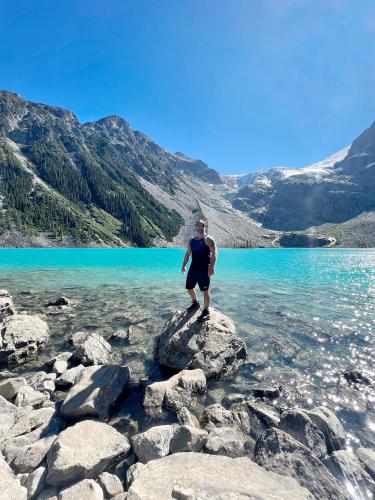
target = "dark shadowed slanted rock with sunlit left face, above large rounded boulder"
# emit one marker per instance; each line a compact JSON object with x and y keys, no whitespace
{"x":96,"y":391}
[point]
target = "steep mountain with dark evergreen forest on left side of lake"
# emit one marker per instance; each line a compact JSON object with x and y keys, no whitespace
{"x":64,"y":183}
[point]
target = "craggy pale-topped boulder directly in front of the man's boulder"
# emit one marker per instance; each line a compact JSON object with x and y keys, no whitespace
{"x":185,"y":389}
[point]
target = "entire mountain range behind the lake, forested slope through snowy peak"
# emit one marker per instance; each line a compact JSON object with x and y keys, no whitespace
{"x":64,"y":183}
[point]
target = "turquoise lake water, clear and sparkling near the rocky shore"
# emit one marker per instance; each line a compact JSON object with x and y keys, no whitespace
{"x":305,"y":314}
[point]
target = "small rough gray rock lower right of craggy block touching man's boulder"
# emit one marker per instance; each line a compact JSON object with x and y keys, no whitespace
{"x":217,"y":416}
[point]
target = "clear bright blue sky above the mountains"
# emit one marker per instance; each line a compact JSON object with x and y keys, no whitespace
{"x":240,"y":84}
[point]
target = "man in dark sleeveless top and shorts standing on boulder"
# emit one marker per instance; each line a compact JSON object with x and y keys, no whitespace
{"x":202,"y":249}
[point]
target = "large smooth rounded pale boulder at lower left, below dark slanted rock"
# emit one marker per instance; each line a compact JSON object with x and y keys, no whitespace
{"x":84,"y":451}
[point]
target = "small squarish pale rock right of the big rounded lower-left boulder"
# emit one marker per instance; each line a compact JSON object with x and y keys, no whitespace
{"x":153,"y":443}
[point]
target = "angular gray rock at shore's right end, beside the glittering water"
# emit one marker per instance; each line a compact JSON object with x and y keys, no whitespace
{"x":330,"y":426}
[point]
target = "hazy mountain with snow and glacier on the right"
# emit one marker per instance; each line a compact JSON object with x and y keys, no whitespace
{"x":330,"y":192}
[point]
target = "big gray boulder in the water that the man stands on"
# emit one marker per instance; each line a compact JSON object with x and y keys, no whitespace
{"x":212,"y":345}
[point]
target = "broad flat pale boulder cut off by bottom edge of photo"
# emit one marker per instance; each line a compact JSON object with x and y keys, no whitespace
{"x":196,"y":475}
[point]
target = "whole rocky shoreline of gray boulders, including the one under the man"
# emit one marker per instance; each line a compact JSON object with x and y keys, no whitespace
{"x":60,"y":439}
